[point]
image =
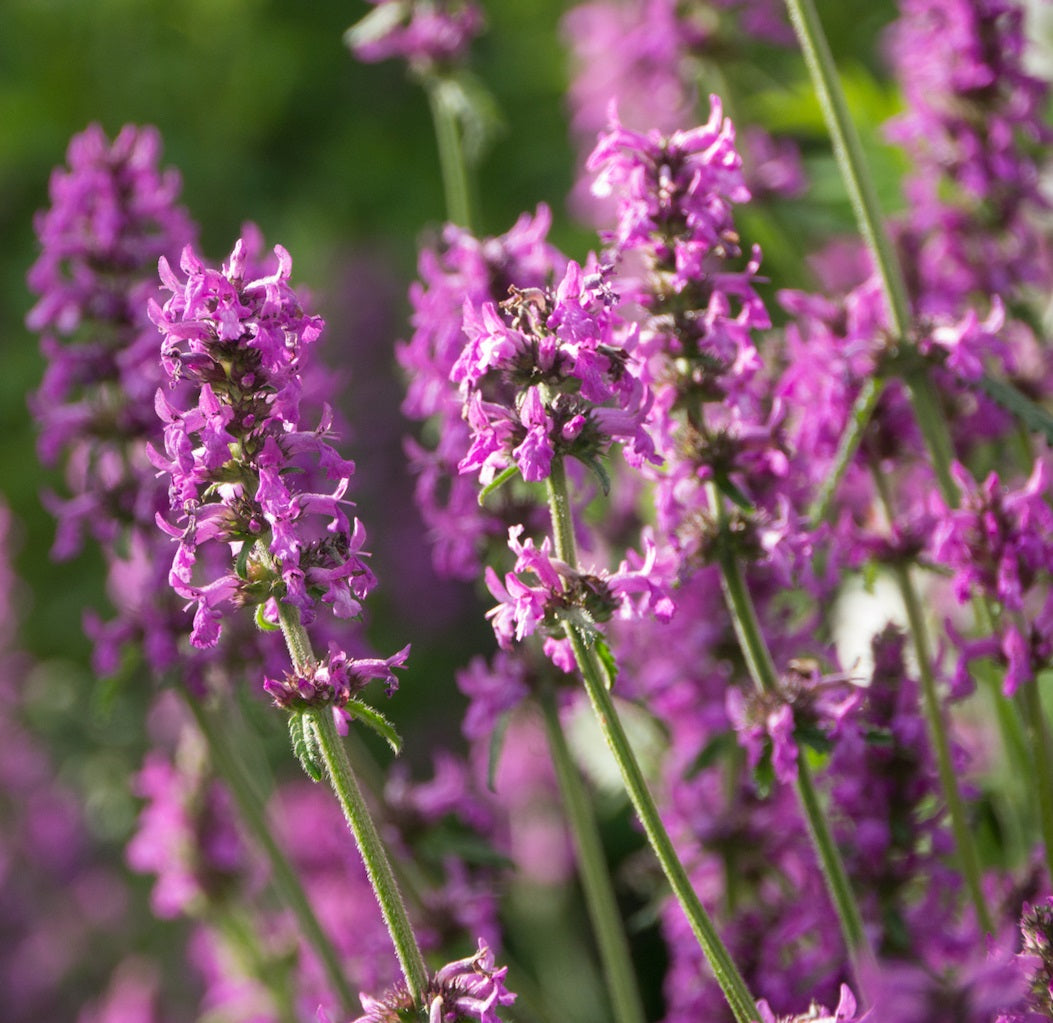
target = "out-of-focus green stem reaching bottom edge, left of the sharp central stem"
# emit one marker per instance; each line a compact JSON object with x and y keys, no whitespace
{"x":595,"y":877}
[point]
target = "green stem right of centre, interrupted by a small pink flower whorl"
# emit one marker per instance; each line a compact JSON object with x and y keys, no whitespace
{"x":759,"y":659}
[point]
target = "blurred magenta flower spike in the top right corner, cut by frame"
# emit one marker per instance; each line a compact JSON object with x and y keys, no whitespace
{"x":975,"y":128}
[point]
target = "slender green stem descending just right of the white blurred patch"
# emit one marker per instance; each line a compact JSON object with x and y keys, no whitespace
{"x":968,"y":857}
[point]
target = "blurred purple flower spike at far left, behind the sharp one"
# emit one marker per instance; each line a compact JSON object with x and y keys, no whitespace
{"x":113,"y":215}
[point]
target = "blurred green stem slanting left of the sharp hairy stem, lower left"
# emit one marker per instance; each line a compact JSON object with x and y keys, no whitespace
{"x":252,"y":813}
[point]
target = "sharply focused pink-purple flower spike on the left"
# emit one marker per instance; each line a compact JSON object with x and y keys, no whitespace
{"x":241,"y":463}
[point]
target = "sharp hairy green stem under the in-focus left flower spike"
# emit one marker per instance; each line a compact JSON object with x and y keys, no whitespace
{"x":356,"y":813}
